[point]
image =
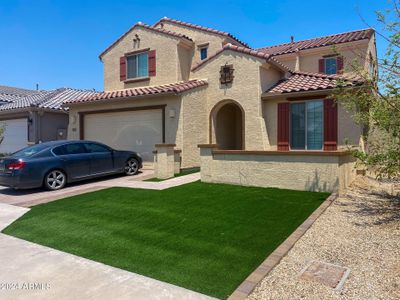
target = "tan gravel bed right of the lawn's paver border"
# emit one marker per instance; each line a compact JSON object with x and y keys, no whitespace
{"x":360,"y":231}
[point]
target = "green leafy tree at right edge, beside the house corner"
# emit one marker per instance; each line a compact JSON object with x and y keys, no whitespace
{"x":377,"y":104}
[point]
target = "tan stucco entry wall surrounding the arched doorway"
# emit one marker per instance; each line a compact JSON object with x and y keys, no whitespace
{"x":246,"y":90}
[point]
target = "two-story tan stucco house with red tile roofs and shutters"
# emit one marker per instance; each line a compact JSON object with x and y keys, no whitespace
{"x":183,"y":84}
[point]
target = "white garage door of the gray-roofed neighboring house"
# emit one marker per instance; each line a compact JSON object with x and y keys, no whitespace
{"x":15,"y":135}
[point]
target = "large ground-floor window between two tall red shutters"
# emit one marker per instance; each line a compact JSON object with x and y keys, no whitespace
{"x":306,"y":125}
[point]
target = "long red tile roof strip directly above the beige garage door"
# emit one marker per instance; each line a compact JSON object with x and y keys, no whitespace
{"x":173,"y":88}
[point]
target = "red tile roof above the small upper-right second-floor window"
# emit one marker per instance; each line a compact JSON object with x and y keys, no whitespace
{"x":319,"y":42}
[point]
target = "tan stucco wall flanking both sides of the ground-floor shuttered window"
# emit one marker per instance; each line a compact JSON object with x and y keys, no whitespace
{"x":347,"y":128}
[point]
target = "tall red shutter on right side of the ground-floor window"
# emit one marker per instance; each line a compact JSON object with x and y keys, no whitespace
{"x":330,"y":125}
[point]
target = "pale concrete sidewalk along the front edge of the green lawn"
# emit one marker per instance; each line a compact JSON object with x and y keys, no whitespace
{"x":31,"y":271}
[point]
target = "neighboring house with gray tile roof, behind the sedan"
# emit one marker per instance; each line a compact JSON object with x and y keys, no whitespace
{"x":31,"y":116}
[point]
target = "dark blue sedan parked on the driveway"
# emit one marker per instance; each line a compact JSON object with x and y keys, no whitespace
{"x":54,"y":164}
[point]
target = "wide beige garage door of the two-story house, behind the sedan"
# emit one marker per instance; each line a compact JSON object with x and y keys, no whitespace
{"x":129,"y":130}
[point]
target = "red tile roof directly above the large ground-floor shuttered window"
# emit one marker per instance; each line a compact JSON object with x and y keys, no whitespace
{"x":302,"y":81}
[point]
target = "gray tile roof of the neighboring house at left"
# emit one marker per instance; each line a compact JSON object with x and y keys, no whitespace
{"x":46,"y":99}
